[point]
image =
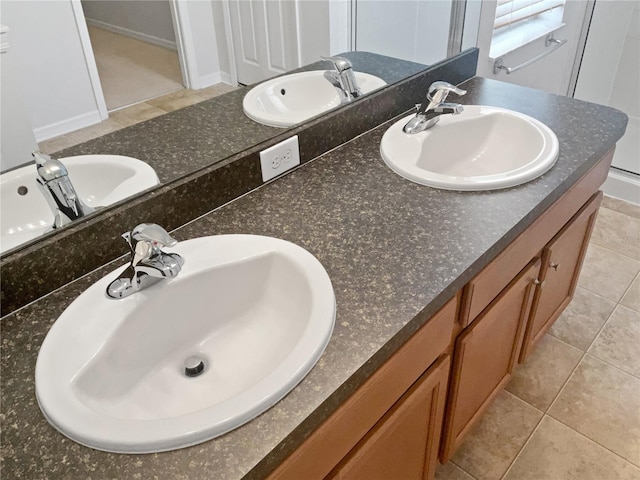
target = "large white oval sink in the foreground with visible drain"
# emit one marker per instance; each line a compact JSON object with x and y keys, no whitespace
{"x":258,"y":310}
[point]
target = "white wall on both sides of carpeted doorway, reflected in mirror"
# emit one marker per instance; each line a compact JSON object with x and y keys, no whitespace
{"x":50,"y":64}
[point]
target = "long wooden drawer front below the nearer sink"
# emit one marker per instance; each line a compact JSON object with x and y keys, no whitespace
{"x":342,"y":431}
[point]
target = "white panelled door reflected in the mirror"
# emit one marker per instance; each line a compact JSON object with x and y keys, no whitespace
{"x":265,"y":38}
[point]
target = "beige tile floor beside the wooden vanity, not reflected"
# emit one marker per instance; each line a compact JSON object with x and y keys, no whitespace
{"x":572,"y":412}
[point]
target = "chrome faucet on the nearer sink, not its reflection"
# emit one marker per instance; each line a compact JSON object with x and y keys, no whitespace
{"x":149,"y":264}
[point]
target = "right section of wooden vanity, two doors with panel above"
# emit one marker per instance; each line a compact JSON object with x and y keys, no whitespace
{"x":505,"y":320}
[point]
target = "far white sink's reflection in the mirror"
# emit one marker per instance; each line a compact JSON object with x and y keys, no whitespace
{"x":291,"y":99}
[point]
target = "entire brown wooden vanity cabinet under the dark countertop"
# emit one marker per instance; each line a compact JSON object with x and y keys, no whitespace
{"x":446,"y":375}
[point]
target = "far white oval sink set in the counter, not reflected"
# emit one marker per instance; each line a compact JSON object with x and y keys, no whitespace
{"x":482,"y":148}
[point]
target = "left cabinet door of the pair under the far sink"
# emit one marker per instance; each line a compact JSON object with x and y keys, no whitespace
{"x":485,"y":355}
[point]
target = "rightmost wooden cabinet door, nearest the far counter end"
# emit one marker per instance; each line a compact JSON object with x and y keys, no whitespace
{"x":561,"y":262}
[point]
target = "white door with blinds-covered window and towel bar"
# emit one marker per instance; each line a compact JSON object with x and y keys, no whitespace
{"x":523,"y":40}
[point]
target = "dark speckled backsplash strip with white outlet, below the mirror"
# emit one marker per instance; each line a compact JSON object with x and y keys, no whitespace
{"x":34,"y":271}
